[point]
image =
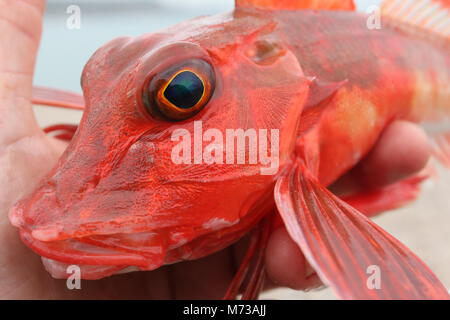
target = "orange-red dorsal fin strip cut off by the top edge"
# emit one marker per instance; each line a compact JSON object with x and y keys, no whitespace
{"x":298,"y":4}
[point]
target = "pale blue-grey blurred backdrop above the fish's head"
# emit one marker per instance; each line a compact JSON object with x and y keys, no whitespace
{"x":64,"y":51}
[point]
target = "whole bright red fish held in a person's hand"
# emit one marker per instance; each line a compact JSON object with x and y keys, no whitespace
{"x":310,"y":72}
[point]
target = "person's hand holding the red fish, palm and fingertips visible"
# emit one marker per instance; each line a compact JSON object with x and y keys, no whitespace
{"x":26,"y":154}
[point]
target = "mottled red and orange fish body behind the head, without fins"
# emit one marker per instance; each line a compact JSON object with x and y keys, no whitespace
{"x":390,"y":74}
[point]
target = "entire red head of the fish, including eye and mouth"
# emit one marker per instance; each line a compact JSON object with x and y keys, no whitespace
{"x":183,"y":137}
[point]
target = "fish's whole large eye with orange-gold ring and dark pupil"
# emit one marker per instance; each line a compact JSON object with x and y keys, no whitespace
{"x":181,"y":91}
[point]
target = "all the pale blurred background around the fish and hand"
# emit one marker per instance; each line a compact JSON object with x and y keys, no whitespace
{"x":423,"y":226}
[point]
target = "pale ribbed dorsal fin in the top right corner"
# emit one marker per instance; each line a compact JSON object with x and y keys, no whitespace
{"x":426,"y":16}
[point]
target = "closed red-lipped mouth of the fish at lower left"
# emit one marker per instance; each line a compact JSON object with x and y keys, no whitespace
{"x":96,"y":256}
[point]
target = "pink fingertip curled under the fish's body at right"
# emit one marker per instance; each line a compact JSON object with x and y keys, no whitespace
{"x":401,"y":151}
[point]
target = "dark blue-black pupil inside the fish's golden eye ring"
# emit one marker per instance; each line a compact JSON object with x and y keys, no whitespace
{"x":185,"y":90}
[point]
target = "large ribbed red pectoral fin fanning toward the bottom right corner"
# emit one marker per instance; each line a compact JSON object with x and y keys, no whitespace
{"x":350,"y":253}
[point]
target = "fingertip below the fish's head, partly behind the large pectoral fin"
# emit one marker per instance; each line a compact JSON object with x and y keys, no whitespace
{"x":286,"y":265}
